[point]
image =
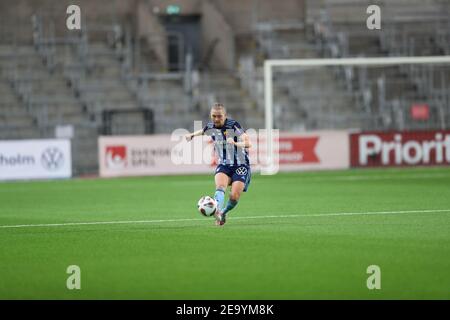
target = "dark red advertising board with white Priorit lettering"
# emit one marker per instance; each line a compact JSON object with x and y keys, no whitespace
{"x":387,"y":149}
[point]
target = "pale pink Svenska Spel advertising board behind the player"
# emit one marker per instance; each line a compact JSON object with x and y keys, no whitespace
{"x":165,"y":154}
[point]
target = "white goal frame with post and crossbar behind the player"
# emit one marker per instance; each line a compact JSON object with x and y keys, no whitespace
{"x":269,"y":65}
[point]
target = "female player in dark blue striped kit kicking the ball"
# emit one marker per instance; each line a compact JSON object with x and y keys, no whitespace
{"x":231,"y":144}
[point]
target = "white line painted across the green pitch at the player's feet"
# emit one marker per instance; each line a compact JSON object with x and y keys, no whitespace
{"x":232,"y":218}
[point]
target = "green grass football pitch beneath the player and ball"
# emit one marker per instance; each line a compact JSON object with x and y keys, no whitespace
{"x":288,"y":238}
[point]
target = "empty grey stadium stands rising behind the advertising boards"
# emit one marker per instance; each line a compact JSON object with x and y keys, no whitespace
{"x":126,"y":58}
